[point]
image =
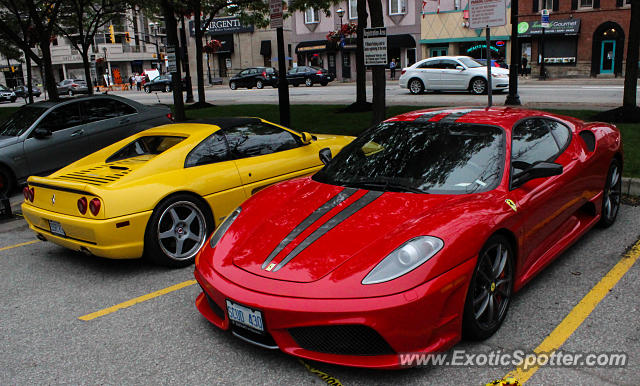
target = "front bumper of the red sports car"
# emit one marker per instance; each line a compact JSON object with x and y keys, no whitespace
{"x":427,"y":318}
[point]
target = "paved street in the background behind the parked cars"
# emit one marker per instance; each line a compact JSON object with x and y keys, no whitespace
{"x":598,"y":94}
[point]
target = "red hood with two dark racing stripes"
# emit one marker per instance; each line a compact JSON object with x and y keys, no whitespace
{"x":322,"y":226}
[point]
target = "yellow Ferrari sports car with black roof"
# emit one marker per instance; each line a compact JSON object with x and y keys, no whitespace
{"x":161,"y":192}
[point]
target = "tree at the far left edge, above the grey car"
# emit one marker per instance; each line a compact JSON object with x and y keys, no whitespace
{"x":42,"y":15}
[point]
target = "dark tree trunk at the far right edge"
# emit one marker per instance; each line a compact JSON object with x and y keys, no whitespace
{"x":631,"y":72}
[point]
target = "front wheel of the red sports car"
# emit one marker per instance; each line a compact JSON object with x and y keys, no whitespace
{"x":490,"y":290}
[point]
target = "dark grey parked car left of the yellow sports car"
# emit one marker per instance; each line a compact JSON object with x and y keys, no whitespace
{"x":44,"y":136}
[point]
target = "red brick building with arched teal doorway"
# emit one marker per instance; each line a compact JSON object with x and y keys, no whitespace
{"x":585,"y":38}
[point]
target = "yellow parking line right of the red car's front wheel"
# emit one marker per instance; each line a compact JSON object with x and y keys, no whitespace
{"x":580,"y":312}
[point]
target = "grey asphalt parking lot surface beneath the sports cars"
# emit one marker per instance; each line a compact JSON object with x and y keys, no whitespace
{"x":159,"y":337}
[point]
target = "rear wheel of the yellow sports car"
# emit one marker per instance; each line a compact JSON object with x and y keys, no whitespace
{"x":177,"y":229}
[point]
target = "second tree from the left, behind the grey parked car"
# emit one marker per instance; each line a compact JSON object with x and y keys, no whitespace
{"x":80,"y":20}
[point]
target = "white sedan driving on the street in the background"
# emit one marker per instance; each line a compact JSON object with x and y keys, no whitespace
{"x":452,"y":73}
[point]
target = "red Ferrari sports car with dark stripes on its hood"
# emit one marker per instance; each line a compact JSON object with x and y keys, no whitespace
{"x":414,"y":236}
